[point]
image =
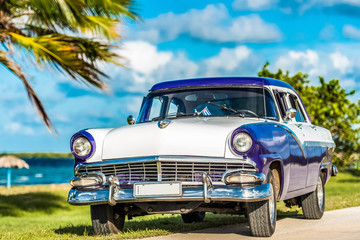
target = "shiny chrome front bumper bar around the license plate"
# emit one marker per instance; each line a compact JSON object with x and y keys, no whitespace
{"x":217,"y":194}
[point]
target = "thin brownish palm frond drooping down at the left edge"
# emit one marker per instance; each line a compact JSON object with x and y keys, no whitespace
{"x":15,"y":69}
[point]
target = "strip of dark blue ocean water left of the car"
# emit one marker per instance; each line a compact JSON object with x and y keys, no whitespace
{"x":41,"y":171}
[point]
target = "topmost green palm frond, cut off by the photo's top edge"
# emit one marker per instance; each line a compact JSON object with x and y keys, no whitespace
{"x":78,"y":16}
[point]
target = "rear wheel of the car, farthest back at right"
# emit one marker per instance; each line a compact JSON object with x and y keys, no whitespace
{"x":313,"y":204}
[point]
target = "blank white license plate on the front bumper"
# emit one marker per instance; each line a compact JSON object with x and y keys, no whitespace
{"x":157,"y":189}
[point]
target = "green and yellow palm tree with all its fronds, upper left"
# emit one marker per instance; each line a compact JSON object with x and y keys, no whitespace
{"x":72,"y":36}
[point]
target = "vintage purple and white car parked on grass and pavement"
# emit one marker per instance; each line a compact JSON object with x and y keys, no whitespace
{"x":222,"y":145}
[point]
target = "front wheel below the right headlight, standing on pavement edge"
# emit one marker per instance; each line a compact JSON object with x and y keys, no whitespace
{"x":262,"y":215}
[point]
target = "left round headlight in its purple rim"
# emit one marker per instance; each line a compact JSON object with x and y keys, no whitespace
{"x":82,"y":145}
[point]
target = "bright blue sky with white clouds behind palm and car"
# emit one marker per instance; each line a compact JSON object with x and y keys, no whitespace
{"x":183,"y":39}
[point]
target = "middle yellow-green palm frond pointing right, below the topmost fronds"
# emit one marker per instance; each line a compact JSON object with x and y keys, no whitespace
{"x":79,"y":57}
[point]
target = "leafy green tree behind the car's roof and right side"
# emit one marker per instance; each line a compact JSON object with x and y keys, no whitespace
{"x":328,"y":106}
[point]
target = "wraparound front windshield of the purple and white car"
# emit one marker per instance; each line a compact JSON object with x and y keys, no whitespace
{"x":236,"y":102}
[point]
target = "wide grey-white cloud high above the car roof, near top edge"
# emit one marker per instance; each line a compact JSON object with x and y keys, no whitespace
{"x":213,"y":23}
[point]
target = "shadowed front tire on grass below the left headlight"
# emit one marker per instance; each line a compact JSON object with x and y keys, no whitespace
{"x":107,"y":219}
